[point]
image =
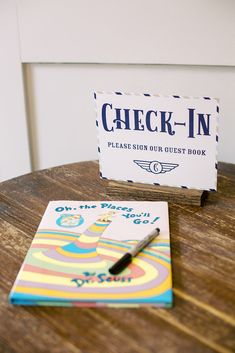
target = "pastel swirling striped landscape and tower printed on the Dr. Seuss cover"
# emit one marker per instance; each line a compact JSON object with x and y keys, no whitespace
{"x":67,"y":268}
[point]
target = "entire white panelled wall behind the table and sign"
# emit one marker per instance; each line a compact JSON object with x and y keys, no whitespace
{"x":182,"y":46}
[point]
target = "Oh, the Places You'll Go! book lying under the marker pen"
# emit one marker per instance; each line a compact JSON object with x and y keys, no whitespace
{"x":77,"y":242}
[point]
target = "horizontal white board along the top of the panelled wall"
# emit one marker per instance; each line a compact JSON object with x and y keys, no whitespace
{"x":193,"y":32}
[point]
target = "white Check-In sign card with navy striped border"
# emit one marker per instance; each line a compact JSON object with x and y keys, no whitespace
{"x":155,"y":139}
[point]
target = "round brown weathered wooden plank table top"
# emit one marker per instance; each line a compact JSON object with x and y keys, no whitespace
{"x":202,"y":241}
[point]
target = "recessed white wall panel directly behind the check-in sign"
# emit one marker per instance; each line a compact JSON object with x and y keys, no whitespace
{"x":62,"y":109}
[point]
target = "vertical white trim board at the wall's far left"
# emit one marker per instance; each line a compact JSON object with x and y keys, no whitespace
{"x":14,"y":147}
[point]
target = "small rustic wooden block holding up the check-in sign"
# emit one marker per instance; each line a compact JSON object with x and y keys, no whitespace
{"x":147,"y":192}
